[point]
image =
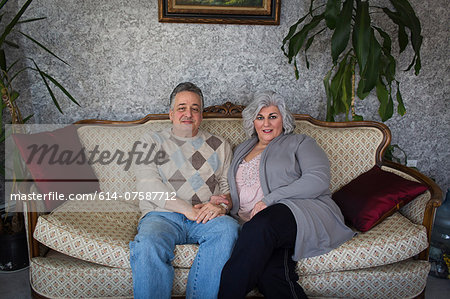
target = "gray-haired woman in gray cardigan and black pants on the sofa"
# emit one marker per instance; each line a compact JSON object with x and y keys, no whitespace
{"x":279,"y":183}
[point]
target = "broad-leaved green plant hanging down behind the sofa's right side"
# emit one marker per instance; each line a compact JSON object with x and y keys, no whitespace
{"x":359,"y":48}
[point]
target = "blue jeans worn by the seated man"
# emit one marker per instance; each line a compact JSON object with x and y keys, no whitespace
{"x":151,"y":254}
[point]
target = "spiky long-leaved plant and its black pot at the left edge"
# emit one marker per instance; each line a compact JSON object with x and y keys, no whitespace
{"x":13,"y":249}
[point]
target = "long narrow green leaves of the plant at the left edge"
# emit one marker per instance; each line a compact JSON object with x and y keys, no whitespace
{"x":9,"y":73}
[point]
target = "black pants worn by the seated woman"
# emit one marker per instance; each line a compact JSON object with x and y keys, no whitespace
{"x":262,"y":257}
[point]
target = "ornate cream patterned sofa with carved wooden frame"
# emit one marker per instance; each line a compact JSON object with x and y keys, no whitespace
{"x":83,"y":252}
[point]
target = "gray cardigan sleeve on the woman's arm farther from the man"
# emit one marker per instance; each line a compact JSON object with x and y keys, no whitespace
{"x":315,"y":177}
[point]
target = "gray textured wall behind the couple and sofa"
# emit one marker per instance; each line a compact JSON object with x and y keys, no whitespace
{"x":124,"y":63}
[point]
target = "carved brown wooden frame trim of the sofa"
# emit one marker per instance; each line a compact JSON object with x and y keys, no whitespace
{"x":229,"y":110}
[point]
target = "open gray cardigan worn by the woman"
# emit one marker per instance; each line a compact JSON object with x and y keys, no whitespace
{"x":295,"y":171}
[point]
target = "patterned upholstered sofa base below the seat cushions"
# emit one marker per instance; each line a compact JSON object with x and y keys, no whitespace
{"x":61,"y":276}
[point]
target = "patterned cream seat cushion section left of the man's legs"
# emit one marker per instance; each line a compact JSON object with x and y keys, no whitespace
{"x":97,"y":231}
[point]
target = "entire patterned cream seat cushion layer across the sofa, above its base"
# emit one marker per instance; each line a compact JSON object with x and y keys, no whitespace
{"x":100,"y":232}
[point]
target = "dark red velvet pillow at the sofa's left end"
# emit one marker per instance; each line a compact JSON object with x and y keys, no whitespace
{"x":62,"y":168}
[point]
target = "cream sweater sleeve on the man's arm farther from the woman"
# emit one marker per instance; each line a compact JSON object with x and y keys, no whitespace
{"x":148,"y":178}
